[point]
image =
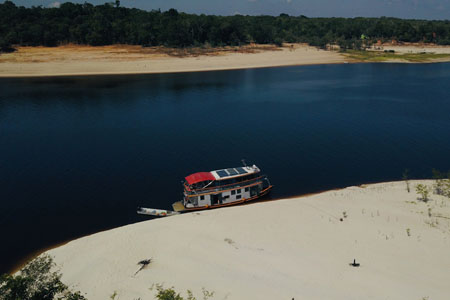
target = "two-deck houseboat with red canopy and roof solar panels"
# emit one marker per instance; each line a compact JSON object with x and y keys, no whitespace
{"x":222,"y":188}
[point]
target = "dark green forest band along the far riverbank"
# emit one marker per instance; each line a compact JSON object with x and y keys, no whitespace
{"x":112,"y":24}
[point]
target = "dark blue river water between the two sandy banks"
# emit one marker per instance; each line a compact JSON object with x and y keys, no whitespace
{"x":77,"y":155}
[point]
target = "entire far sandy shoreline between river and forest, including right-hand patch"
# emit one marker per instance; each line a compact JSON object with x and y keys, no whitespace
{"x":76,"y":60}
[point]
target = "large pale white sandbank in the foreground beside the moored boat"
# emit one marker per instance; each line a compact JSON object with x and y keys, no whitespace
{"x":294,"y":248}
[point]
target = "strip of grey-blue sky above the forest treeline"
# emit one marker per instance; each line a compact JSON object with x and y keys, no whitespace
{"x":410,"y":9}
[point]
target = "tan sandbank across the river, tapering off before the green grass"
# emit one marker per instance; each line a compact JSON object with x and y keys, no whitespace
{"x":83,"y":60}
